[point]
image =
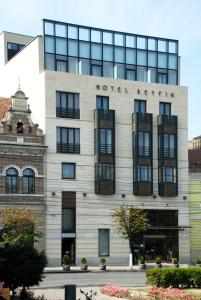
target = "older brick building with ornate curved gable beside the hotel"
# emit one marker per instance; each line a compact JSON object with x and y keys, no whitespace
{"x":21,"y":159}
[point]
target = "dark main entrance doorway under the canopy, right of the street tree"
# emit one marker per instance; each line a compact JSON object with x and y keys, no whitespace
{"x":155,"y":246}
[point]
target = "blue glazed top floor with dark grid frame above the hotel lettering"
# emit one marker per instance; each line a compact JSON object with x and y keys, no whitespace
{"x":99,"y":52}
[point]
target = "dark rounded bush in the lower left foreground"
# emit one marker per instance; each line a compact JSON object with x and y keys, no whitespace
{"x":21,"y":265}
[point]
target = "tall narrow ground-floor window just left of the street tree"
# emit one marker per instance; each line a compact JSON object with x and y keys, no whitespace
{"x":103,"y":242}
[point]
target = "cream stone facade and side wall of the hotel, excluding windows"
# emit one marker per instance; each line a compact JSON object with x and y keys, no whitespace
{"x":93,"y":211}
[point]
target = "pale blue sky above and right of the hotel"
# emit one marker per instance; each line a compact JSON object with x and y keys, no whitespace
{"x":176,"y":19}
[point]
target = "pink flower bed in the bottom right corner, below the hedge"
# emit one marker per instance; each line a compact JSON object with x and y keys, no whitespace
{"x":167,"y":294}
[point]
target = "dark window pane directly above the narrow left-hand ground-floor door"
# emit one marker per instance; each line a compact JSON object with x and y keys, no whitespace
{"x":68,"y":220}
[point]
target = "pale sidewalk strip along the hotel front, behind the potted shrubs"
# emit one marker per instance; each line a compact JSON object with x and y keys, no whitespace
{"x":76,"y":269}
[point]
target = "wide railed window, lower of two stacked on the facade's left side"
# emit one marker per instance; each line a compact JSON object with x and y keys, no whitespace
{"x":68,"y":140}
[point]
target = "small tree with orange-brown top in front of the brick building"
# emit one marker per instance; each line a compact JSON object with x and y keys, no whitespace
{"x":18,"y":226}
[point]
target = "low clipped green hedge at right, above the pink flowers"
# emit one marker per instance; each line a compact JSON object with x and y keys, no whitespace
{"x":180,"y":278}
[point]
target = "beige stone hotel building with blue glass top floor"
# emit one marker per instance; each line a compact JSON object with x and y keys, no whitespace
{"x":115,"y":120}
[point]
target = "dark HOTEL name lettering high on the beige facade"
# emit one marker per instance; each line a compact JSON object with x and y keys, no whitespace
{"x":139,"y":91}
